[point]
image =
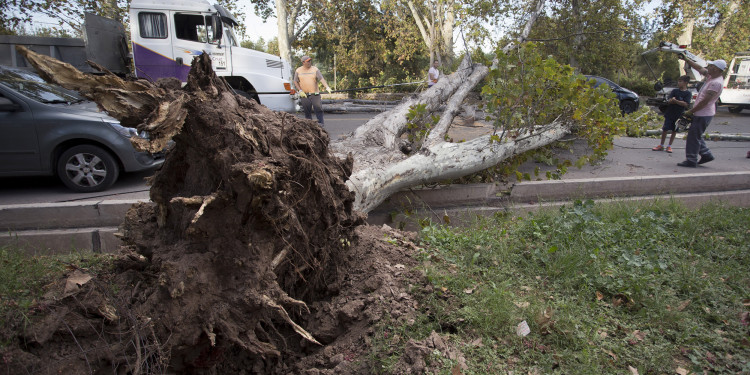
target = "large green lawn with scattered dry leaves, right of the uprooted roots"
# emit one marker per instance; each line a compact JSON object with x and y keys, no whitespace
{"x":602,"y":287}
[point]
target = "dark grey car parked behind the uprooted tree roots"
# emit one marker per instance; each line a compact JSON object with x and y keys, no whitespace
{"x":48,"y":130}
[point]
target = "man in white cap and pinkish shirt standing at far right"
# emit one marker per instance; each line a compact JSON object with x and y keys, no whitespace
{"x":703,"y":112}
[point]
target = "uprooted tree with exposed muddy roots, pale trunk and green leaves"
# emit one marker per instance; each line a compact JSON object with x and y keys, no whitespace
{"x":252,"y":210}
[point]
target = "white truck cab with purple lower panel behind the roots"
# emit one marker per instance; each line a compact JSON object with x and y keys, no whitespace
{"x":167,"y":34}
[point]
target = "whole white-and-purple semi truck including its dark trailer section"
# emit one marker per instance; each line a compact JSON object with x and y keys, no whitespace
{"x":165,"y":36}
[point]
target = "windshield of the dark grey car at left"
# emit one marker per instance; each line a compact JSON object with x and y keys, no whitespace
{"x":33,"y":86}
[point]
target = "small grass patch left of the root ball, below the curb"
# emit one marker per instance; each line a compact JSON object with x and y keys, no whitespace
{"x":24,"y":279}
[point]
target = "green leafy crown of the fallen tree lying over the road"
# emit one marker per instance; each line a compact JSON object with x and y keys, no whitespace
{"x":527,"y":89}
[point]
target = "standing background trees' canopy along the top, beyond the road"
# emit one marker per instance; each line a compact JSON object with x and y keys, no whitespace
{"x":371,"y":42}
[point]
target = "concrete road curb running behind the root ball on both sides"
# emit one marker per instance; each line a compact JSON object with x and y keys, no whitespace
{"x":92,"y":225}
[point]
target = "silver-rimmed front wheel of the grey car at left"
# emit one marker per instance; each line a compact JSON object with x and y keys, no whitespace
{"x":87,"y":169}
